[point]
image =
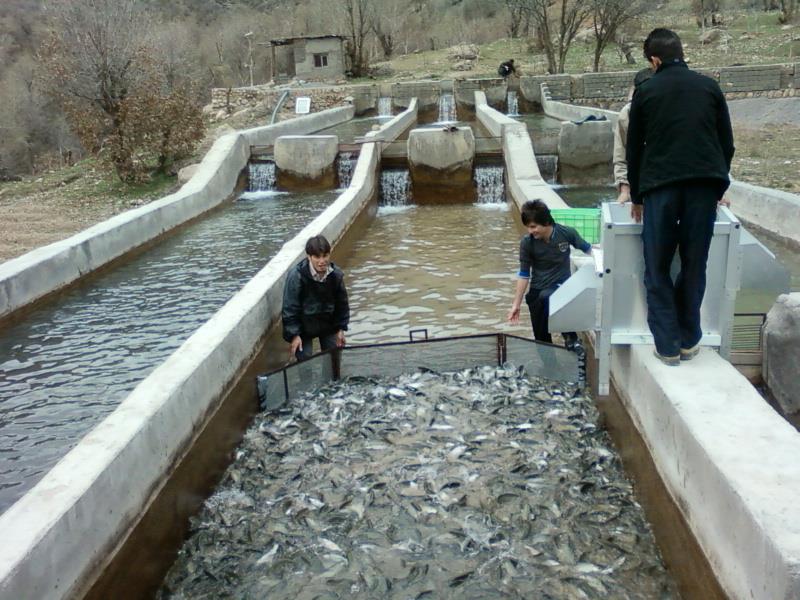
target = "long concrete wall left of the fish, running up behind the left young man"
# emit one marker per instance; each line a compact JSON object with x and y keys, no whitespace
{"x":62,"y":529}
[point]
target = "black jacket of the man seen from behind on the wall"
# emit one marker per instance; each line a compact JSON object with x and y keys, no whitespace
{"x":679,"y":130}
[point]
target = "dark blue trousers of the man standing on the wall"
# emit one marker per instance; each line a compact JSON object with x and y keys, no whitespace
{"x":677,"y":216}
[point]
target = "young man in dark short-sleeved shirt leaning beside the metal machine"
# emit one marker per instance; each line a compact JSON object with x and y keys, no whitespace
{"x":544,"y":266}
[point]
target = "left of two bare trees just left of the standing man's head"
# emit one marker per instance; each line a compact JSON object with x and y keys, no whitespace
{"x":556,"y":25}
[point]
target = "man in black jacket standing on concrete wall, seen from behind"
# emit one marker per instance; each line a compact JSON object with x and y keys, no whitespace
{"x":679,"y":151}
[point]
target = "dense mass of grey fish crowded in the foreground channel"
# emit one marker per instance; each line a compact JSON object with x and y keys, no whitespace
{"x":477,"y":483}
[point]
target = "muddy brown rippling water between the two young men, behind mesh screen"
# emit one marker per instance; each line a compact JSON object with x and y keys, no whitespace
{"x":448,"y":269}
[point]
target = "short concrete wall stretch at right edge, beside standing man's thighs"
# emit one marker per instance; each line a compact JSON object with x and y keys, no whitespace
{"x":774,"y":210}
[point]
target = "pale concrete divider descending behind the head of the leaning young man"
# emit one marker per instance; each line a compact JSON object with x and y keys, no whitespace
{"x":523,"y":179}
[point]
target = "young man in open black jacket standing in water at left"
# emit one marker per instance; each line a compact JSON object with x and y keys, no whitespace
{"x":315,"y":302}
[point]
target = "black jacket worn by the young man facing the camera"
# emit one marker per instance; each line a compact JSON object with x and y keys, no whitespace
{"x":311,"y":308}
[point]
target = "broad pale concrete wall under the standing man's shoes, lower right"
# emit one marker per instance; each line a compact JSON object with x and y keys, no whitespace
{"x":729,"y":461}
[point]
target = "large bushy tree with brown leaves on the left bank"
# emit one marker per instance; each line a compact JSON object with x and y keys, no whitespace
{"x":107,"y":74}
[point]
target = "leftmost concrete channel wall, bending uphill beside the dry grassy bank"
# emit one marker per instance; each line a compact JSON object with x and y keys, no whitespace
{"x":25,"y":279}
